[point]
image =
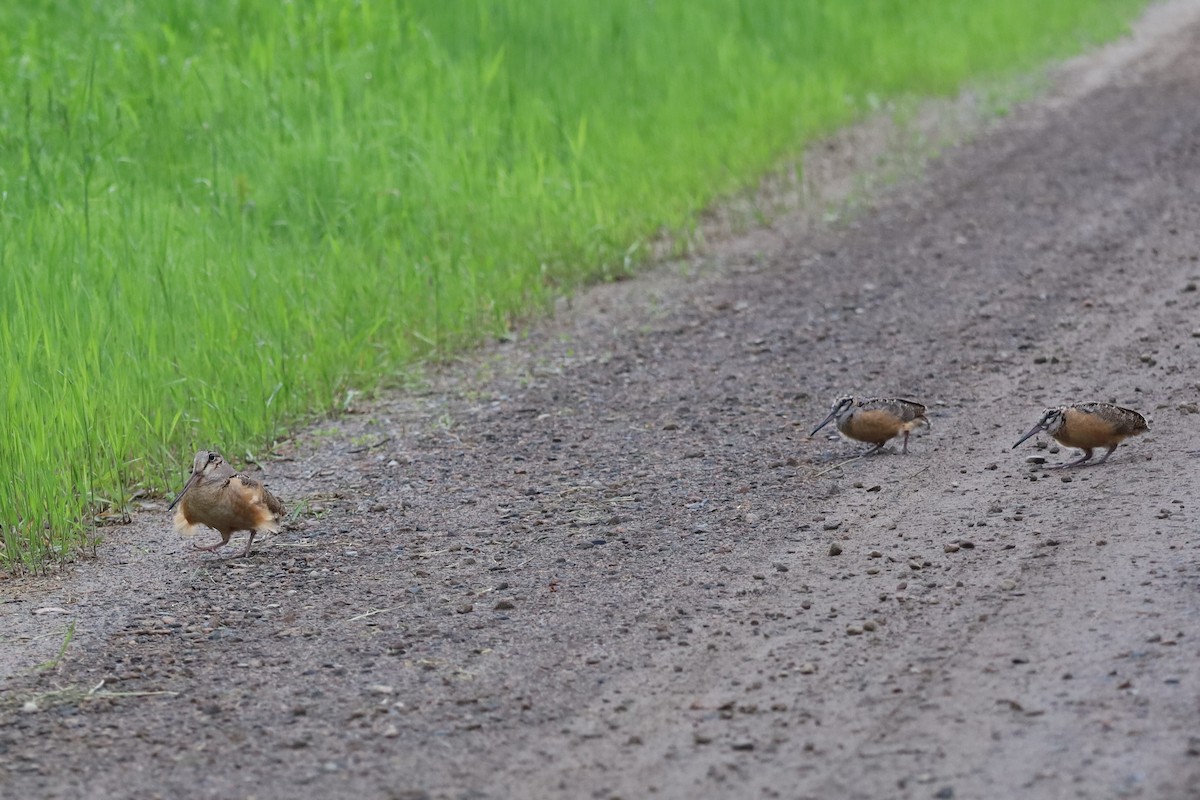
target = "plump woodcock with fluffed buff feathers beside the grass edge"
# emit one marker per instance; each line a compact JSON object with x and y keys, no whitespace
{"x":226,"y":501}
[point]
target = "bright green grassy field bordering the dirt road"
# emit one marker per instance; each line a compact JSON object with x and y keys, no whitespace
{"x":218,"y":221}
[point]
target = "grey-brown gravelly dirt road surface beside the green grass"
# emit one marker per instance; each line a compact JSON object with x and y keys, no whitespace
{"x":597,"y":562}
